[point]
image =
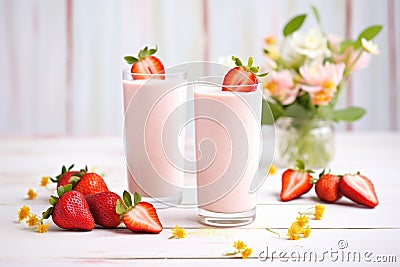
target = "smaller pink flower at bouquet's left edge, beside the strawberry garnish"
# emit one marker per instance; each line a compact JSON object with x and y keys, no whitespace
{"x":280,"y":85}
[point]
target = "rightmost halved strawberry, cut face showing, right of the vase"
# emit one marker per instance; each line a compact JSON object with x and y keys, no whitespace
{"x":359,"y":189}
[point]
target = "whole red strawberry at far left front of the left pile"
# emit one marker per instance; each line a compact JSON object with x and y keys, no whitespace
{"x":69,"y":210}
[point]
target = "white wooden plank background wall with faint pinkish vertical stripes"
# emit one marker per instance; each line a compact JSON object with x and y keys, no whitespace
{"x":61,"y":60}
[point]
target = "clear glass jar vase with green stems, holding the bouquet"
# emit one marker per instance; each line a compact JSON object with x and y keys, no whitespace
{"x":309,"y":140}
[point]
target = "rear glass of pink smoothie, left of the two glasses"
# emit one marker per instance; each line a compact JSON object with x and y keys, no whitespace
{"x":152,"y":136}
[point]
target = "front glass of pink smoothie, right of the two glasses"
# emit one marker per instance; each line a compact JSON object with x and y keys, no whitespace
{"x":228,"y":147}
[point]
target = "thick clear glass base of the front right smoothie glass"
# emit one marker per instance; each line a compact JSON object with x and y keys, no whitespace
{"x":226,"y":219}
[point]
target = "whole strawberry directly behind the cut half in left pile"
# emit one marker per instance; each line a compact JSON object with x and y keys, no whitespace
{"x":103,"y":208}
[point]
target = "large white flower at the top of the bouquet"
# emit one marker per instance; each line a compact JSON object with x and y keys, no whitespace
{"x":302,"y":47}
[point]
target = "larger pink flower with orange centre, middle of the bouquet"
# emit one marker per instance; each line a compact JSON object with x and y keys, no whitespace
{"x":321,"y":81}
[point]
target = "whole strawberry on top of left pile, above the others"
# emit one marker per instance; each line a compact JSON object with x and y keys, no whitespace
{"x":88,"y":182}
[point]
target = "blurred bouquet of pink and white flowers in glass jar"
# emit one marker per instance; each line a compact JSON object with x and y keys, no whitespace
{"x":307,"y":72}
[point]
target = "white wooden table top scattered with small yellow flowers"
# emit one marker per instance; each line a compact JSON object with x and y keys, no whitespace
{"x":371,"y":232}
